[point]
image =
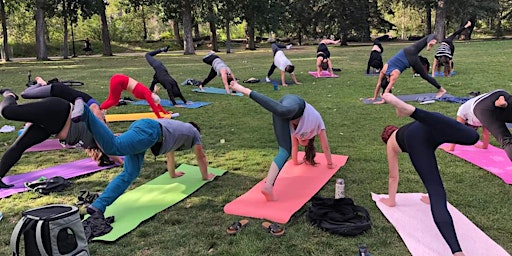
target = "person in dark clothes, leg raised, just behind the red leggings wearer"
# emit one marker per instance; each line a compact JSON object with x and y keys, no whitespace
{"x":163,"y":77}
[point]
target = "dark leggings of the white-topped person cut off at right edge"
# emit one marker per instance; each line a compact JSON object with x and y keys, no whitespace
{"x":495,"y":119}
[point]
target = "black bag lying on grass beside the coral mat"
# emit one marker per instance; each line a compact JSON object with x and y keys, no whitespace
{"x":338,"y":216}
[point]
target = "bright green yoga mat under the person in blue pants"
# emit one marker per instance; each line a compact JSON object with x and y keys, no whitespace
{"x":141,"y":203}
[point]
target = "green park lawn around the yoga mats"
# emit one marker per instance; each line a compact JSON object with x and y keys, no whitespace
{"x":196,"y":226}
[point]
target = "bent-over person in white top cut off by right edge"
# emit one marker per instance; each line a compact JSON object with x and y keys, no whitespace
{"x":491,"y":111}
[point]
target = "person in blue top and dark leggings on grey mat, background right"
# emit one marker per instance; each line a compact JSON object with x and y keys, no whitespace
{"x":407,"y":57}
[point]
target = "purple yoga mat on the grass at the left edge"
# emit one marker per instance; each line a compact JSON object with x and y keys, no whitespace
{"x":68,"y":170}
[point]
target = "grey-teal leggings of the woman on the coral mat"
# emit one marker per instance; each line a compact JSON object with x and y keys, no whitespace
{"x":288,"y":108}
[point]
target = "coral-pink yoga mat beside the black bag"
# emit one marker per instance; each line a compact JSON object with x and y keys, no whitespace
{"x":294,"y":187}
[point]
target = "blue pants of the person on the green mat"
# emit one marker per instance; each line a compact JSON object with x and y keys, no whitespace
{"x":141,"y":135}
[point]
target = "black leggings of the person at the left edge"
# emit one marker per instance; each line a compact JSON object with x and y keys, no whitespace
{"x":48,"y":116}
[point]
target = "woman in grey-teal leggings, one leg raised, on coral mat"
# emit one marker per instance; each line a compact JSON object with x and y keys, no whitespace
{"x":295,"y":122}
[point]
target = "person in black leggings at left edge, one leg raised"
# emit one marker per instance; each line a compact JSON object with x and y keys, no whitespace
{"x":47,"y":117}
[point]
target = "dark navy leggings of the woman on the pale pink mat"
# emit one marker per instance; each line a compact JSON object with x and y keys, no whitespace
{"x":422,"y":139}
